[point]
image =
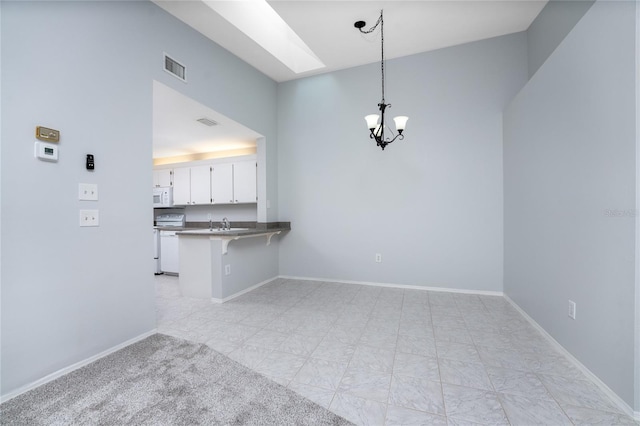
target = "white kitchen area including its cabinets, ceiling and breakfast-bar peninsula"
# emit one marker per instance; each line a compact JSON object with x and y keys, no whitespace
{"x":205,"y":201}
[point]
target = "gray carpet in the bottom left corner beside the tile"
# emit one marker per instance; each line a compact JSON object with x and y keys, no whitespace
{"x":162,"y":380}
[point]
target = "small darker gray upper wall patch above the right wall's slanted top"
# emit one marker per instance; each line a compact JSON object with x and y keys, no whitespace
{"x":550,"y":27}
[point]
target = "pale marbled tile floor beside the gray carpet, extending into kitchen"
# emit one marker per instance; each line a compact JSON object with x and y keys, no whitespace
{"x":384,"y":356}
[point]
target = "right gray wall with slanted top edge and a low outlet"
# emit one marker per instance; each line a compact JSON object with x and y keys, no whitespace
{"x":569,"y":174}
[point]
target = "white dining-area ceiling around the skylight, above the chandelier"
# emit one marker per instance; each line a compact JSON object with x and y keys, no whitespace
{"x":327,"y":28}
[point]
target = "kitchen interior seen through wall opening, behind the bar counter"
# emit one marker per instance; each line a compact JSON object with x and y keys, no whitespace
{"x":205,"y":171}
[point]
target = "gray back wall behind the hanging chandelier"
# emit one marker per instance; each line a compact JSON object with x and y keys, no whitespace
{"x":430,"y":204}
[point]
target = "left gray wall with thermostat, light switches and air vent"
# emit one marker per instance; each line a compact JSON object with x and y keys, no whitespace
{"x":69,"y":293}
